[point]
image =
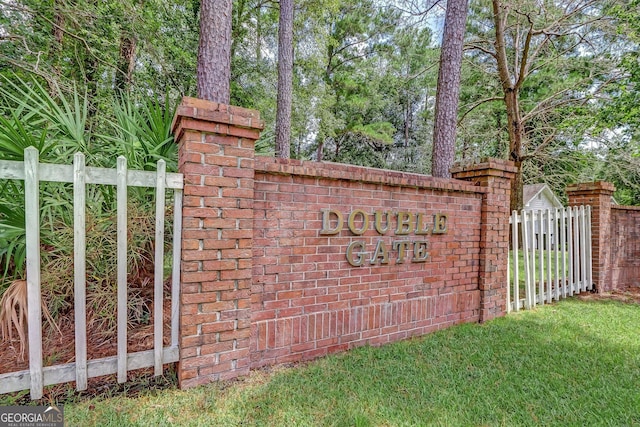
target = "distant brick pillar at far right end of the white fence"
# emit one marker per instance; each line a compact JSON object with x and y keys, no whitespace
{"x":598,"y":196}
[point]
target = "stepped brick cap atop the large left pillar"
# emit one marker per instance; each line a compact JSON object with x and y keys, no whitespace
{"x":200,"y":115}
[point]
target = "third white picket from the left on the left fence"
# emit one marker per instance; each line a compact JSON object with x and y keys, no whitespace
{"x":121,"y":197}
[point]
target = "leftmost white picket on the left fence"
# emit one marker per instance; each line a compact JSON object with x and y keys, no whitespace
{"x":32,"y":229}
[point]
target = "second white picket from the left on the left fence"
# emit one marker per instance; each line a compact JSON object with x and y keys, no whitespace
{"x":80,"y":269}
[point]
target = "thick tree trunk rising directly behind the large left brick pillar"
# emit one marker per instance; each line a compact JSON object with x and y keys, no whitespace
{"x":214,"y":51}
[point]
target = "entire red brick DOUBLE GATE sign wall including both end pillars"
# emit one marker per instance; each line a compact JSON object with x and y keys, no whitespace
{"x":285,"y":260}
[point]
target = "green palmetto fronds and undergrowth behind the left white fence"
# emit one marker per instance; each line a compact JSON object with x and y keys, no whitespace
{"x":57,"y":125}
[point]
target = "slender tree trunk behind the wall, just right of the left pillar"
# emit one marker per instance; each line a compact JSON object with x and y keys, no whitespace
{"x":285,"y":80}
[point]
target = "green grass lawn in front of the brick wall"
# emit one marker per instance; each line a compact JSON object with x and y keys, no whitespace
{"x":570,"y":363}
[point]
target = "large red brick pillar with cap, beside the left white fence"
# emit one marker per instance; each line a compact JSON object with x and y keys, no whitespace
{"x":216,"y":156}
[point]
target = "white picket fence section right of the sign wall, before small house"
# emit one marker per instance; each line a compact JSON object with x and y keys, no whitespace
{"x":554,"y":247}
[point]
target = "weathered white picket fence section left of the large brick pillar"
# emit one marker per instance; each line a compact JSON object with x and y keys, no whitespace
{"x":33,"y":172}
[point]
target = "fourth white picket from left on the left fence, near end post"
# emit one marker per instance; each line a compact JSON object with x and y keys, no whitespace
{"x":159,"y":268}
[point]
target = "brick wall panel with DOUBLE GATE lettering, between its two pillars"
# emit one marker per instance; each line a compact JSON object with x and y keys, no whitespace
{"x":345,"y":256}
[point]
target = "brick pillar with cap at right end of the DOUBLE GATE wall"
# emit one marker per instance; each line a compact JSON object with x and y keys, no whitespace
{"x":494,"y":175}
